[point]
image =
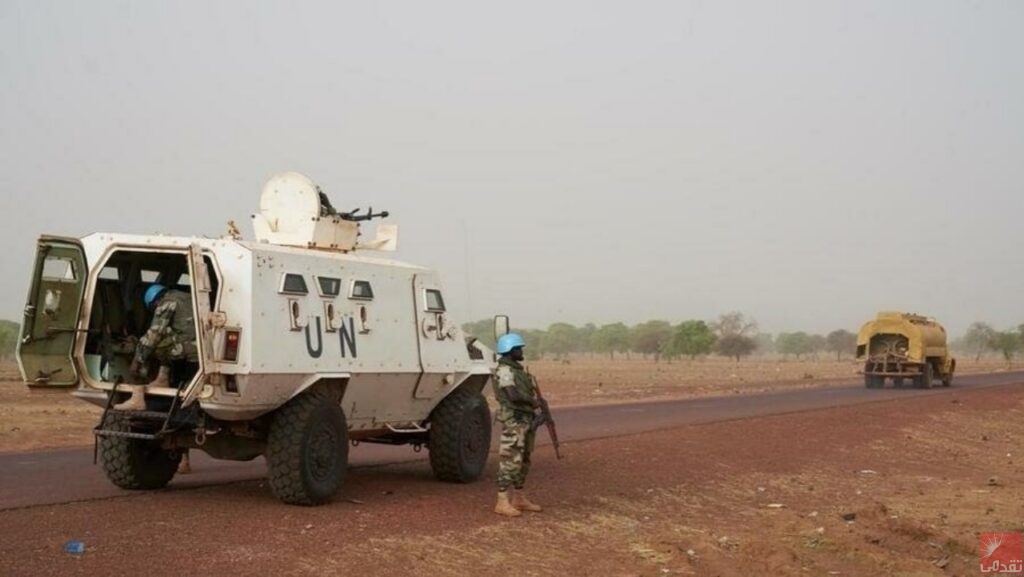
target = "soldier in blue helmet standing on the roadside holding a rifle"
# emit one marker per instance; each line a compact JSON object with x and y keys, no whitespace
{"x":518,"y":405}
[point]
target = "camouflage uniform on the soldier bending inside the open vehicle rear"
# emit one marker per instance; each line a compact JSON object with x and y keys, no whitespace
{"x":173,"y":334}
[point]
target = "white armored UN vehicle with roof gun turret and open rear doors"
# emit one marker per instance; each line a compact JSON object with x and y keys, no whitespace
{"x":306,"y":346}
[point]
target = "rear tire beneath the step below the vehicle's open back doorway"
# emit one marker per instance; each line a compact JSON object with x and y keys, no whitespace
{"x":136,"y":464}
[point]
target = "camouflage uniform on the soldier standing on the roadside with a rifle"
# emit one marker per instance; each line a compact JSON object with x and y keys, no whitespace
{"x":517,"y":399}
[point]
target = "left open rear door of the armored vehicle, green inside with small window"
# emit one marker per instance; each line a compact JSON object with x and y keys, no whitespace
{"x":50,"y":328}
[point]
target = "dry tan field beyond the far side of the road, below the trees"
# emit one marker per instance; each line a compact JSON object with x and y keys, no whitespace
{"x":32,"y":420}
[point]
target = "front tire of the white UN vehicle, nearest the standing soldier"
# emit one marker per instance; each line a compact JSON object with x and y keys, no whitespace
{"x":460,"y":437}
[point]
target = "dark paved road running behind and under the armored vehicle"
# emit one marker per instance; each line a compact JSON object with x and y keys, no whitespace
{"x":69,"y":476}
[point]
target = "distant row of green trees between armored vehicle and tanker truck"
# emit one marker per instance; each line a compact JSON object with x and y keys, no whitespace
{"x":734,"y":336}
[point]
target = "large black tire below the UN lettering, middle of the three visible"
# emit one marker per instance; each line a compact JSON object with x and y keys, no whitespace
{"x":308,"y":451}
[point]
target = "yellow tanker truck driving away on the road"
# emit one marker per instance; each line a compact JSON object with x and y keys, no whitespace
{"x":901,"y":346}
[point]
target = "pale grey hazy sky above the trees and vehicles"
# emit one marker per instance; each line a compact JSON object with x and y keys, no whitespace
{"x":807,"y":163}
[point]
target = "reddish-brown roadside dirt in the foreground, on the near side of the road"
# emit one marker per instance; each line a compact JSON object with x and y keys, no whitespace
{"x":897,"y":488}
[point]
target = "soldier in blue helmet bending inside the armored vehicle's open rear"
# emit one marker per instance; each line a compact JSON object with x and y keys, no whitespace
{"x":172,"y":338}
